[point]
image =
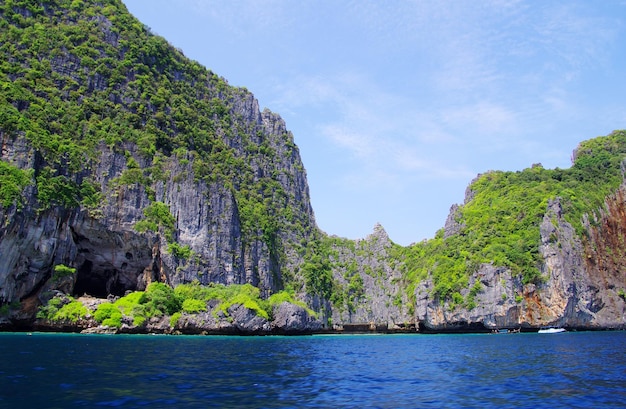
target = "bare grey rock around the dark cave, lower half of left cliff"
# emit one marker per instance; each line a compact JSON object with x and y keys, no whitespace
{"x":111,"y":257}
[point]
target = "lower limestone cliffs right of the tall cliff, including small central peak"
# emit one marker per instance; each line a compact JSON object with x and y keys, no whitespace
{"x":575,"y":276}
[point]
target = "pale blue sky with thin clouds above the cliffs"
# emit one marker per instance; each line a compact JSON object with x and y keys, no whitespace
{"x":397,"y":105}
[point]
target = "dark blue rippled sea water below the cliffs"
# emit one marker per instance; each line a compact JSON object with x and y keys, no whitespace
{"x":570,"y":370}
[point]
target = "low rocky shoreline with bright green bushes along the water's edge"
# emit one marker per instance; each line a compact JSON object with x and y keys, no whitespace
{"x":216,"y":318}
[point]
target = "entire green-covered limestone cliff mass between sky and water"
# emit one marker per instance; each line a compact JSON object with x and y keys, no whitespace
{"x":125,"y":165}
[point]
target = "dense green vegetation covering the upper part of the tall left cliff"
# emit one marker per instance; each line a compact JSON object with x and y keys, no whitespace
{"x":80,"y":76}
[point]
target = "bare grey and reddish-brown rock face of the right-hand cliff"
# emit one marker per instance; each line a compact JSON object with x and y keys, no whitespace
{"x":580,"y":288}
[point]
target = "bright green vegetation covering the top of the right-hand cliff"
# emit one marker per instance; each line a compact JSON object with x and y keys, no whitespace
{"x":499,"y":224}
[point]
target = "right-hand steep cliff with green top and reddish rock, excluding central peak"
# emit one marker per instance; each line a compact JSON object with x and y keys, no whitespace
{"x":562,"y":266}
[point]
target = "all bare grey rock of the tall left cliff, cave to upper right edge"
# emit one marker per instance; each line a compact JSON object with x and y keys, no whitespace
{"x":112,"y":257}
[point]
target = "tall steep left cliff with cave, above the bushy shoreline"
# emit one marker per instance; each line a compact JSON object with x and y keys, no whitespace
{"x":129,"y":163}
